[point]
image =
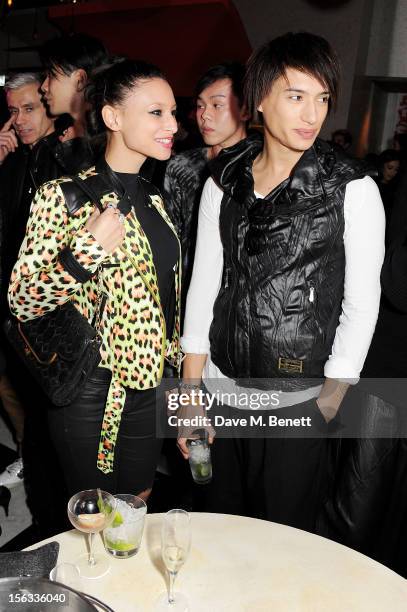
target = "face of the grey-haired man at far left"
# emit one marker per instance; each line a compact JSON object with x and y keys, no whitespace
{"x":31,"y":122}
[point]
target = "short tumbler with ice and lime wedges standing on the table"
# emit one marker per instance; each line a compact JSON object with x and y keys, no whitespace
{"x":123,"y":538}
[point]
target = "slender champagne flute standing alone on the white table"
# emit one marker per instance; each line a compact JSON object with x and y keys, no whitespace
{"x":175,"y":545}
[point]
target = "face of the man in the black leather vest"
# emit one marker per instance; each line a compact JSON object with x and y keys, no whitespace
{"x":294,"y":110}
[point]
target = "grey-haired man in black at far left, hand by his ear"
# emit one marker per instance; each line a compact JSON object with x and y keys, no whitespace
{"x":20,"y":161}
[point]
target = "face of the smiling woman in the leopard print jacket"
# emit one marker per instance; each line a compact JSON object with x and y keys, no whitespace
{"x":146,"y":119}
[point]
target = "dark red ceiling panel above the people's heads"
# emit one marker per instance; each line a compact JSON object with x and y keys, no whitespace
{"x":183,"y":37}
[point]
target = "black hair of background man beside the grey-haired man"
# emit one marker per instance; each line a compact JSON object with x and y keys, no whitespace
{"x":68,"y":53}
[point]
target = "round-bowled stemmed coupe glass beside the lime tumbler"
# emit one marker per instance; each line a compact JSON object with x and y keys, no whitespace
{"x":91,"y":511}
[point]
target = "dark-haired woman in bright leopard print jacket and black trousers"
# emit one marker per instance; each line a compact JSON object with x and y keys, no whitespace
{"x":107,"y":437}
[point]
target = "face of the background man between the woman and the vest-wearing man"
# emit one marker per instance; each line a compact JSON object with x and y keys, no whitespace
{"x":220,"y":119}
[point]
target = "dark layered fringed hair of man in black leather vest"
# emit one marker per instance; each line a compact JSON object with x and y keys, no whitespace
{"x":301,"y":51}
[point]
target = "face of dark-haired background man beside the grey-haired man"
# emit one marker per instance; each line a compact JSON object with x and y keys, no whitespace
{"x":60,"y":91}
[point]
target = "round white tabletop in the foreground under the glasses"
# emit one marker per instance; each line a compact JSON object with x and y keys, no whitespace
{"x":240,"y":564}
